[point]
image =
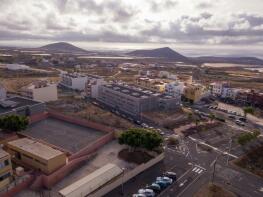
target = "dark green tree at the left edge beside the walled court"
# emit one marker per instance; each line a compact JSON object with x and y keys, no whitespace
{"x":13,"y":123}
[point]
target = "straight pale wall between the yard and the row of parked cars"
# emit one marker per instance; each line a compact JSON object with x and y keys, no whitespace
{"x":127,"y":176}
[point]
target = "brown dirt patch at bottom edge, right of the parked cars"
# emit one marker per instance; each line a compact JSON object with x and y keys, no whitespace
{"x":213,"y":191}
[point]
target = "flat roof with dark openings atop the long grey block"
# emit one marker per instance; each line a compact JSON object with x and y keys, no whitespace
{"x":131,"y":90}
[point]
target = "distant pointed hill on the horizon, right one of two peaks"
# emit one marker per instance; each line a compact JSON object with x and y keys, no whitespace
{"x":164,"y":52}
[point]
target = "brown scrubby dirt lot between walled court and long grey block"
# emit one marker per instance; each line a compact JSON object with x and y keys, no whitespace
{"x":80,"y":108}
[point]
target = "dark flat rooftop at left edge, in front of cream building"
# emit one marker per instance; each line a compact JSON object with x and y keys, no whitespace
{"x":17,"y":102}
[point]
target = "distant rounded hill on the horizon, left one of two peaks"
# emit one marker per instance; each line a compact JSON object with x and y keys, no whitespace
{"x":63,"y":47}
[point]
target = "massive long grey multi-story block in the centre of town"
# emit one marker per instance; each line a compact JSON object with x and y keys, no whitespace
{"x":133,"y":100}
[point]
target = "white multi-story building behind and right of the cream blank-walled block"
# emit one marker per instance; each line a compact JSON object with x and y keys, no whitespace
{"x":75,"y":81}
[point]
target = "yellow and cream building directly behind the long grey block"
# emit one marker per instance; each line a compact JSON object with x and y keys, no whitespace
{"x":151,"y":84}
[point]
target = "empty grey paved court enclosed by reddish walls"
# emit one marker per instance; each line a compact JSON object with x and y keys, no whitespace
{"x":66,"y":135}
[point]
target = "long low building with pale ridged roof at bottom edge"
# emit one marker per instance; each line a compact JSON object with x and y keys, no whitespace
{"x":92,"y":182}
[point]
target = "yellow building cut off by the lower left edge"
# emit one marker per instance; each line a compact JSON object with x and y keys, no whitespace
{"x":6,"y":171}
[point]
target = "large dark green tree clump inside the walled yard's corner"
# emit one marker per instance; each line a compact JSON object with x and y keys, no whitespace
{"x":141,"y":138}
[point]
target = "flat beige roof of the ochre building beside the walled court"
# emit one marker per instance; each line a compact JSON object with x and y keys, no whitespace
{"x":36,"y":148}
